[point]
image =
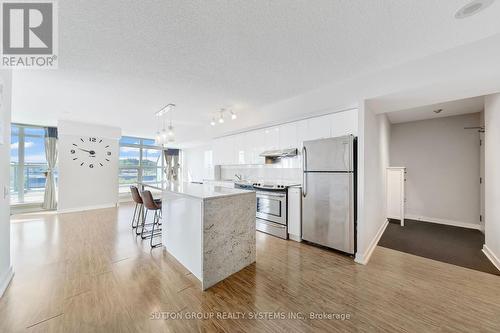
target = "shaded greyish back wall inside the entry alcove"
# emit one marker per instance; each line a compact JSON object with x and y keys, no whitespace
{"x":442,"y":161}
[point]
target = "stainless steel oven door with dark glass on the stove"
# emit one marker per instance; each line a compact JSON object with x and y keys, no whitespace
{"x":271,"y":206}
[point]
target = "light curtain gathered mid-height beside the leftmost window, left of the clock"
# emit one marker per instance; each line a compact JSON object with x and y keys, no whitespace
{"x":49,"y":199}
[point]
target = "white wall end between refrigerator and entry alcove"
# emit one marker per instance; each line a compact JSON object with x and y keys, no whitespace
{"x":373,"y":152}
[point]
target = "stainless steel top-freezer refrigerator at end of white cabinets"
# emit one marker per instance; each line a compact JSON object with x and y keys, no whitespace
{"x":328,"y":203}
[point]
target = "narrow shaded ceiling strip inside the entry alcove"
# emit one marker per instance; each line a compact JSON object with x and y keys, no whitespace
{"x":452,"y":108}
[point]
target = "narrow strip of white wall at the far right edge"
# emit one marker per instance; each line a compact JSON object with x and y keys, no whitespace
{"x":492,"y":177}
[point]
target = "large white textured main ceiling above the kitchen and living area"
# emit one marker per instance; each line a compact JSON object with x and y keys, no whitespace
{"x":121,"y":60}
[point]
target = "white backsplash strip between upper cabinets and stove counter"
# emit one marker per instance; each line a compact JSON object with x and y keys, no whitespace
{"x":261,"y":172}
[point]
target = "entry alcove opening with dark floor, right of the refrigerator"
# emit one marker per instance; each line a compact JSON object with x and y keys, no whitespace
{"x":442,"y":149}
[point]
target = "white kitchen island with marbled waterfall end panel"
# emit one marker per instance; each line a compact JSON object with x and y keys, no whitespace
{"x":209,"y":229}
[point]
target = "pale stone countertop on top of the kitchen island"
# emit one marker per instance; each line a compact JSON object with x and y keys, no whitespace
{"x":203,"y":191}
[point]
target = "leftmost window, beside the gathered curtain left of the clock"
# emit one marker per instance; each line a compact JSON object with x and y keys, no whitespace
{"x":27,"y":164}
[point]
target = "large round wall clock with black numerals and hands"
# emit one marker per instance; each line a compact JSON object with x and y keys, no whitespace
{"x":91,"y":152}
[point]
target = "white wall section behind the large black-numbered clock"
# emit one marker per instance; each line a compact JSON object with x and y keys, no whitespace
{"x":81,"y":187}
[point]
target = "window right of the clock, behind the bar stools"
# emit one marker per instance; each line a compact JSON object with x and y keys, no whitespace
{"x":140,"y":161}
